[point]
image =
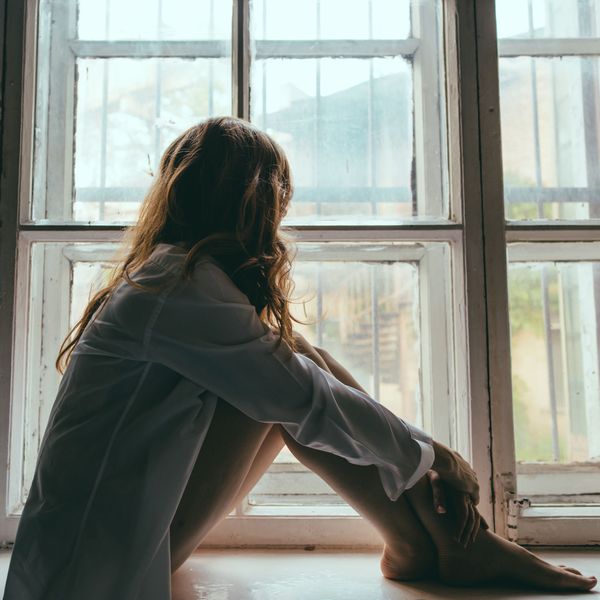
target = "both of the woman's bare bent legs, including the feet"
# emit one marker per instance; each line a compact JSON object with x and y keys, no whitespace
{"x":419,"y":542}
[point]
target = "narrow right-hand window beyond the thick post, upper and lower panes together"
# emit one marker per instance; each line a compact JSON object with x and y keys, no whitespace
{"x":549,"y":86}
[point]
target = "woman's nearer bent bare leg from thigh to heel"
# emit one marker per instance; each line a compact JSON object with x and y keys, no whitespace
{"x":225,"y":473}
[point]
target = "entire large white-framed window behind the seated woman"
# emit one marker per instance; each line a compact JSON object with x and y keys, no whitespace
{"x":389,"y":119}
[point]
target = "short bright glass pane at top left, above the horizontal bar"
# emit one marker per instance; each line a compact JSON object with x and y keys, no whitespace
{"x":154,"y":20}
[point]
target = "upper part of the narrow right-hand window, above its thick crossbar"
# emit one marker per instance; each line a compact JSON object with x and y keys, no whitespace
{"x":550,"y":102}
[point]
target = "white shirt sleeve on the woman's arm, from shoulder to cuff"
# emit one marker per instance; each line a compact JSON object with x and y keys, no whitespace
{"x":207,"y":330}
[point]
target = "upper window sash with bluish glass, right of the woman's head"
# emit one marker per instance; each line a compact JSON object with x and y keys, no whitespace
{"x":363,"y":124}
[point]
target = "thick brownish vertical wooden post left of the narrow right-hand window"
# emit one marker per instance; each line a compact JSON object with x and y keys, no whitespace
{"x":495,"y":265}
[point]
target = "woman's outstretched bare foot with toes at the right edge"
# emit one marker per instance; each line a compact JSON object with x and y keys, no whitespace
{"x":492,"y":559}
